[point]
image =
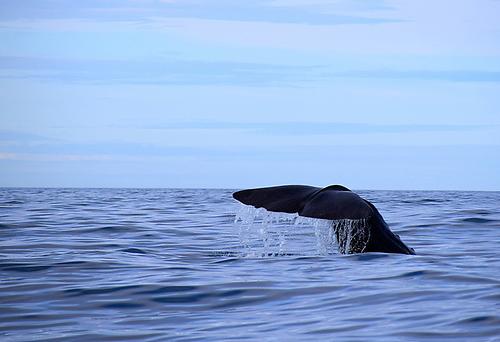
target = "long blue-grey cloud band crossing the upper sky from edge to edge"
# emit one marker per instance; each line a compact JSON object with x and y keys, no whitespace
{"x":183,"y":72}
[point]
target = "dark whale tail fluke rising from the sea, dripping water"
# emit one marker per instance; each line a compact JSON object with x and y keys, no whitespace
{"x":357,"y":224}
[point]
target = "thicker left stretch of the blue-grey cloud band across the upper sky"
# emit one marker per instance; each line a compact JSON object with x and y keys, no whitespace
{"x":155,"y":72}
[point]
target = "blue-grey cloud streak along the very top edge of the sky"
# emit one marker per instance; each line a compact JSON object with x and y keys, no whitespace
{"x":317,"y":13}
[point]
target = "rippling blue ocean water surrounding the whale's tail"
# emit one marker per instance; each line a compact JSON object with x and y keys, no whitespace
{"x":161,"y":264}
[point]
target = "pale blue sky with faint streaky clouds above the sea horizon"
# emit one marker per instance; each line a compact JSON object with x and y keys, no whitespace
{"x":370,"y":94}
